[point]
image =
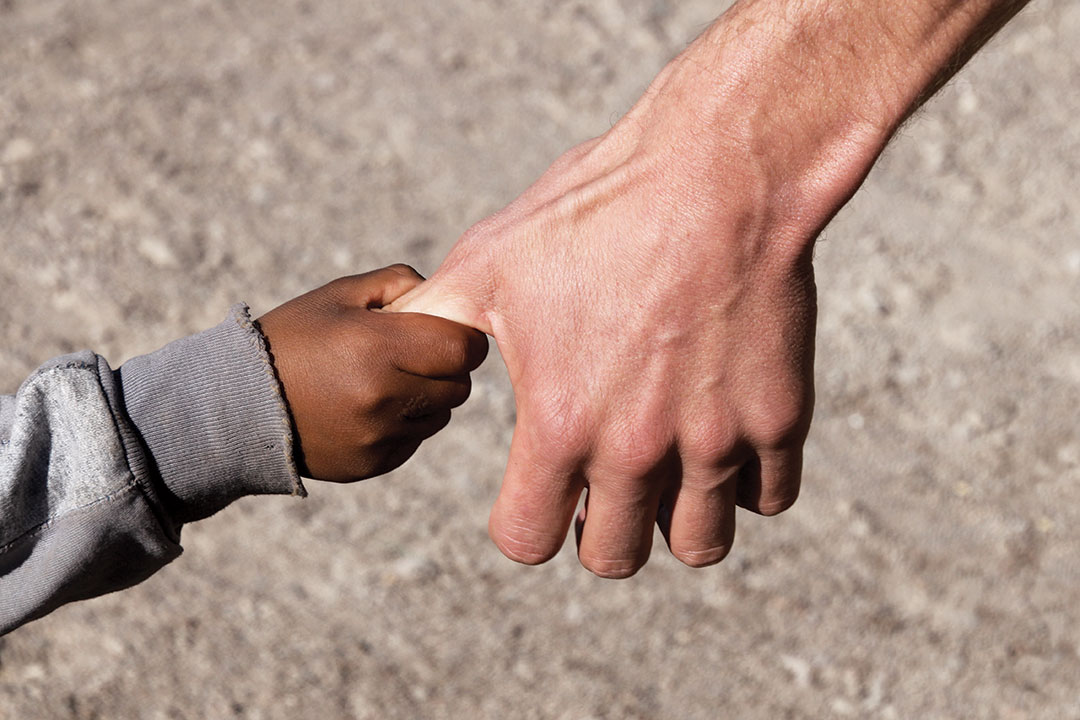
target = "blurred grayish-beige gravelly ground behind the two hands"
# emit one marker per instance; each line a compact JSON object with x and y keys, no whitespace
{"x":161,"y":160}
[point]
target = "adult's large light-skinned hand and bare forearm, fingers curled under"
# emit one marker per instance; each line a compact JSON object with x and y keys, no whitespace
{"x":653,"y":293}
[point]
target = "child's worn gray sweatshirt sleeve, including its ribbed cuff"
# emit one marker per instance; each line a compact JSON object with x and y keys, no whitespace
{"x":100,"y":469}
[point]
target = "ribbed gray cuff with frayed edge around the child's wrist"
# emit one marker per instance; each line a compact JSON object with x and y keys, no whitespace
{"x":212,"y":416}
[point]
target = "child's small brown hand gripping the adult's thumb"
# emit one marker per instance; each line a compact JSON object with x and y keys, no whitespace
{"x":366,"y":388}
